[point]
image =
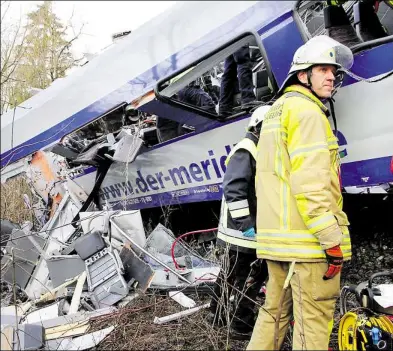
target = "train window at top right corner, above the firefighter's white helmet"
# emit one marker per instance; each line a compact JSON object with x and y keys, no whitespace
{"x":352,"y":23}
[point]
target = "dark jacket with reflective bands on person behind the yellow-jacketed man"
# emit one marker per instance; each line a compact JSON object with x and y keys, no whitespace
{"x":238,"y":207}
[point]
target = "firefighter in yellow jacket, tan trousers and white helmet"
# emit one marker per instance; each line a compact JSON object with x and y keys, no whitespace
{"x":302,"y":231}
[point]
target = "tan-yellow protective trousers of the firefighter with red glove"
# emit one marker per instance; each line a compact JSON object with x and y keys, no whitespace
{"x":309,"y":299}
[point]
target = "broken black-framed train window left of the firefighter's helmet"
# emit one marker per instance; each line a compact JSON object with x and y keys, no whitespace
{"x":228,"y":82}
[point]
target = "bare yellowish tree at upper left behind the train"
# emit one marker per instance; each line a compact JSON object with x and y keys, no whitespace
{"x":36,"y":54}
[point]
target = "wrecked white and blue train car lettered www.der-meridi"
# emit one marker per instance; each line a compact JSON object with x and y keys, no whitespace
{"x":131,"y":141}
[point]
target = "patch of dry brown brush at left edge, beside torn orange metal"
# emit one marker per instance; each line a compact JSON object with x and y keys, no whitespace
{"x":12,"y":204}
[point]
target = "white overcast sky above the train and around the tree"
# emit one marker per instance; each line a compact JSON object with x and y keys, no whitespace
{"x":101,"y":18}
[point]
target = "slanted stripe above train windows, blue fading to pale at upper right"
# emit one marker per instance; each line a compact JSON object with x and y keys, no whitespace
{"x":141,"y":84}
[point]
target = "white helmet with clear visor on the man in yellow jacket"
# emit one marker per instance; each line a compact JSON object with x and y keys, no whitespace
{"x":320,"y":50}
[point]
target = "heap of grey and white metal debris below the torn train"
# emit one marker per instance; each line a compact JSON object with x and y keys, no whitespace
{"x":82,"y":266}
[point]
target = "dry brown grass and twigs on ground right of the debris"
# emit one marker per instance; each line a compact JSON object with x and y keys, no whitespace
{"x":135,"y":329}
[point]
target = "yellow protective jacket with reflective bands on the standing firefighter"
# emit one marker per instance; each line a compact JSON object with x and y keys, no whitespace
{"x":299,"y":201}
